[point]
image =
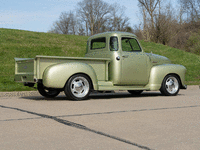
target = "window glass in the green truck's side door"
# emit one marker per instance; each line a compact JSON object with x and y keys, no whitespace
{"x":130,"y":45}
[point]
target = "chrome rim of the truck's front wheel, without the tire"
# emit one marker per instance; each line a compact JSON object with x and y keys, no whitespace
{"x":172,"y":85}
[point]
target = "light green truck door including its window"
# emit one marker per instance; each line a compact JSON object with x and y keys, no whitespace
{"x":134,"y":63}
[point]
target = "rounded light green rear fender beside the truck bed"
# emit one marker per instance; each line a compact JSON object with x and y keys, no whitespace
{"x":56,"y":76}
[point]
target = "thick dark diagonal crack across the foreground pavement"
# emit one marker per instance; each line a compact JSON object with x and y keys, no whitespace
{"x":78,"y":126}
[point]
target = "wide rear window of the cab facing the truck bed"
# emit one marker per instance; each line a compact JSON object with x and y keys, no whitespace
{"x":98,"y":43}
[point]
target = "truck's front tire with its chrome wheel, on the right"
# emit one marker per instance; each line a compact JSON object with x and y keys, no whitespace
{"x":170,"y":85}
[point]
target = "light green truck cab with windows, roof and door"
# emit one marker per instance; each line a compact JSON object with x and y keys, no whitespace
{"x":129,"y":65}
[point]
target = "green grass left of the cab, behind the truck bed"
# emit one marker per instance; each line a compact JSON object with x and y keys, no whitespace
{"x":26,"y":44}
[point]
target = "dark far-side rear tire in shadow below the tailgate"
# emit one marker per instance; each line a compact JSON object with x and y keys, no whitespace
{"x":47,"y":92}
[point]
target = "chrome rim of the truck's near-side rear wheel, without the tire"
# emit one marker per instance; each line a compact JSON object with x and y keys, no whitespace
{"x":79,"y":87}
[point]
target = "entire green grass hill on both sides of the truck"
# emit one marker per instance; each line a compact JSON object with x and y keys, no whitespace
{"x":27,"y":44}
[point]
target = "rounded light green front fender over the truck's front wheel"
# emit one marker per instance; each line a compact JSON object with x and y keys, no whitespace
{"x":159,"y":72}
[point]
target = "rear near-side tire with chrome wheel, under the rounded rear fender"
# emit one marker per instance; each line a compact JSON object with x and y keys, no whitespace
{"x":78,"y":87}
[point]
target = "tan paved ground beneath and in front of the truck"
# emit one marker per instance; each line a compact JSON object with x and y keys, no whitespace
{"x":105,"y":121}
